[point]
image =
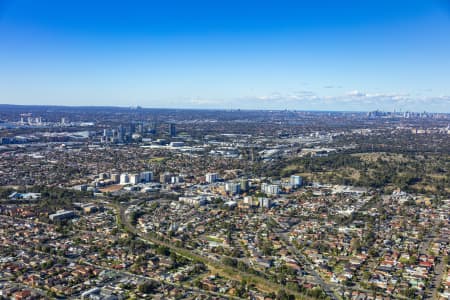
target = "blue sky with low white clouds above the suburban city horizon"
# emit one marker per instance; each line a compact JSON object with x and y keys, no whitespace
{"x":319,"y":55}
